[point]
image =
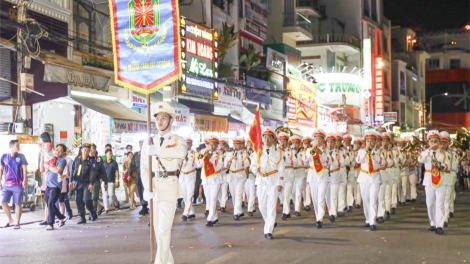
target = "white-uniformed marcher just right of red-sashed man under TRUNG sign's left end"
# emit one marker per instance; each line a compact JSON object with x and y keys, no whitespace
{"x":335,"y":179}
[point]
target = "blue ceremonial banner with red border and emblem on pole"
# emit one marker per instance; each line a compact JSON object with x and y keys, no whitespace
{"x":146,"y":43}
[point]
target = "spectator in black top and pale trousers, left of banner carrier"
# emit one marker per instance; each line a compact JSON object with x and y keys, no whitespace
{"x":112,"y":173}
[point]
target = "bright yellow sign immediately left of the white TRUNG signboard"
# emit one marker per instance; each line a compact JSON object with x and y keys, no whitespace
{"x":303,"y":91}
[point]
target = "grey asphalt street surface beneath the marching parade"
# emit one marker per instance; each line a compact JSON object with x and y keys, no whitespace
{"x":123,"y":237}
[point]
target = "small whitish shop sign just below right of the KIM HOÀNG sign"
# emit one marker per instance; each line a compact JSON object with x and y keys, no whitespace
{"x":230,"y":98}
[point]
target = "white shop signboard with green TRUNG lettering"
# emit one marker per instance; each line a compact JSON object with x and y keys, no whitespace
{"x":332,"y":86}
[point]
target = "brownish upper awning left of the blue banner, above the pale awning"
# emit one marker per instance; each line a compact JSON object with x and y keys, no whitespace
{"x":61,"y":70}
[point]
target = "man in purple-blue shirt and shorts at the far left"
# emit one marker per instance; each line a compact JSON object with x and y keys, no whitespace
{"x":13,"y":165}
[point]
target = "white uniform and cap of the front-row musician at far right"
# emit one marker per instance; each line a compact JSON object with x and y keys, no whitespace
{"x":435,"y":191}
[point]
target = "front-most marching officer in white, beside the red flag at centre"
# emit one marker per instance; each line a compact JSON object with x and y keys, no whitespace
{"x":270,"y":179}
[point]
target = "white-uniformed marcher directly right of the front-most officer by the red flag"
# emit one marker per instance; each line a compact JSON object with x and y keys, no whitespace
{"x":290,"y":162}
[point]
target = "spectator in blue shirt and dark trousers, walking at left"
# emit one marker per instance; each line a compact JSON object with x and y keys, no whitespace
{"x":54,"y":185}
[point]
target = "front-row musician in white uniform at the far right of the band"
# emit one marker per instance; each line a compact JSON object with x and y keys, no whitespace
{"x":435,"y":161}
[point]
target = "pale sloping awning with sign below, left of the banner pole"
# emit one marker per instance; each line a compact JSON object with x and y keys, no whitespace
{"x":124,"y":118}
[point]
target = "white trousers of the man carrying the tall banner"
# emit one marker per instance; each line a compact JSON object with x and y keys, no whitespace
{"x":164,"y":212}
